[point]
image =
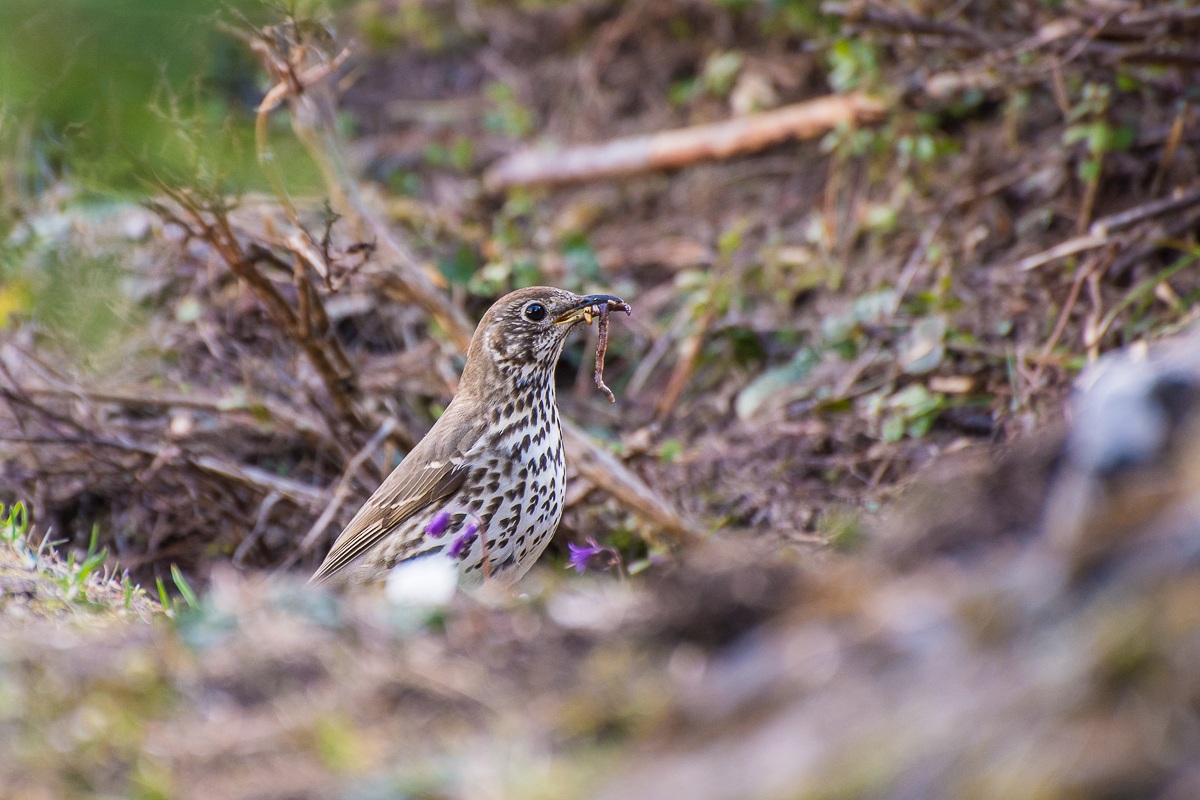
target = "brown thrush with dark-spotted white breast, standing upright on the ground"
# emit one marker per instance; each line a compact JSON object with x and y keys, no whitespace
{"x":485,"y":488}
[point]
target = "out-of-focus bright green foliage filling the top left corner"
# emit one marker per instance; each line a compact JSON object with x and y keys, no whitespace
{"x":118,"y":93}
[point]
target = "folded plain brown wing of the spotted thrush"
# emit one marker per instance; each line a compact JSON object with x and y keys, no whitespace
{"x":434,"y":471}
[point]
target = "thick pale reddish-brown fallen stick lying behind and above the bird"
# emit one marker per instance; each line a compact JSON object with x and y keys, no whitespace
{"x":682,"y":147}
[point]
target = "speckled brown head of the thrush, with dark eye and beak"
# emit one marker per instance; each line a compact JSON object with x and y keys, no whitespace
{"x":523,"y":334}
